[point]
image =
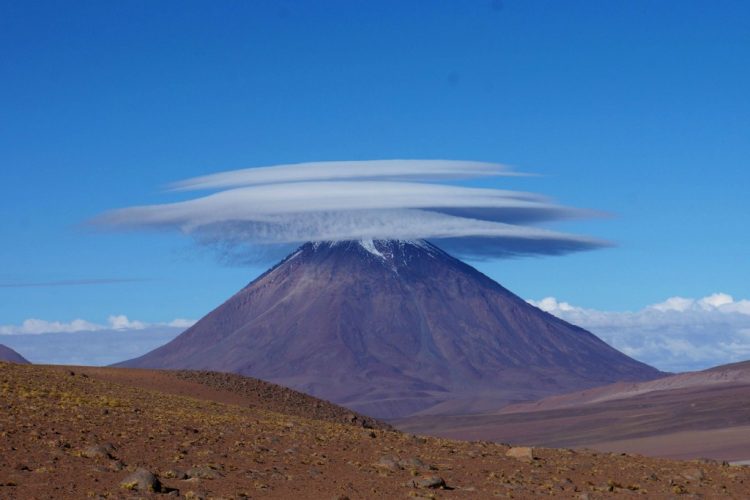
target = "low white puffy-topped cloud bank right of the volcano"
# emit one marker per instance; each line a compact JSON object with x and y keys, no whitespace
{"x":678,"y":334}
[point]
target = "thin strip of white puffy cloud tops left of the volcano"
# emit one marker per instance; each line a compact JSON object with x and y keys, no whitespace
{"x":118,"y":322}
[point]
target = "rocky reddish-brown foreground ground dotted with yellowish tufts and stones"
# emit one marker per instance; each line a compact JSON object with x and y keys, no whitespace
{"x":69,"y":432}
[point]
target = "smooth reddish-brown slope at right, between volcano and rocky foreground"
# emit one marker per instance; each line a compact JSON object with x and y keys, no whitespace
{"x":697,"y":414}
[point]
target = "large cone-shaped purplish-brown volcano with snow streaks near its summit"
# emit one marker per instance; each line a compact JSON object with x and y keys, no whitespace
{"x":394,"y":328}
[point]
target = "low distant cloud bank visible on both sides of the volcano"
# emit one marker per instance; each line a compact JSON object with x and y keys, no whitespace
{"x":678,"y":334}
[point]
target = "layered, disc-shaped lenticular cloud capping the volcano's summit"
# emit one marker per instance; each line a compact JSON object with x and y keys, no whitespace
{"x":278,"y":206}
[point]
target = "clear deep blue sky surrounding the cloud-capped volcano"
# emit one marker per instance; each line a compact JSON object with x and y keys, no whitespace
{"x":637,"y":108}
